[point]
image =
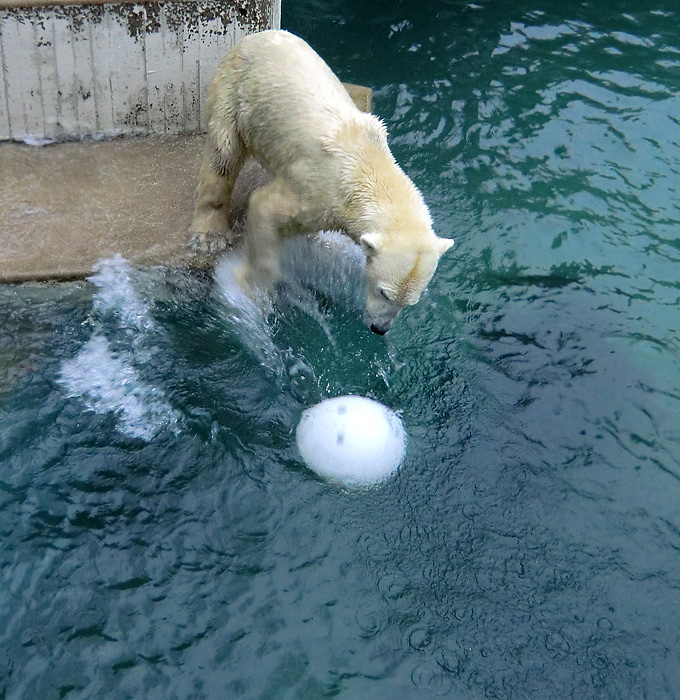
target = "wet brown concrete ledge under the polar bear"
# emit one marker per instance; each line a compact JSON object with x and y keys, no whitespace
{"x":65,"y":206}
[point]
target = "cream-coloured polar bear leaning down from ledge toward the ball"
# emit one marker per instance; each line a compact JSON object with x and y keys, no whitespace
{"x":275,"y":99}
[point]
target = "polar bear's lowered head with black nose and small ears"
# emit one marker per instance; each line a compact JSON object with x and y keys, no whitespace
{"x":397,"y":273}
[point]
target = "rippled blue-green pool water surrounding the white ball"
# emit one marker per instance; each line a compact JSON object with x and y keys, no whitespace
{"x":161,"y":538}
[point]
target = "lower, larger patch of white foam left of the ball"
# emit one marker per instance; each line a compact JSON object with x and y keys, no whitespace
{"x":109,"y":383}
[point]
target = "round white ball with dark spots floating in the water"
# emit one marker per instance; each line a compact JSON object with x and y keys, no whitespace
{"x":352,"y":440}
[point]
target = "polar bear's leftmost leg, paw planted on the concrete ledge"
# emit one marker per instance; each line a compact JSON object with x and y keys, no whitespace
{"x":210,"y":232}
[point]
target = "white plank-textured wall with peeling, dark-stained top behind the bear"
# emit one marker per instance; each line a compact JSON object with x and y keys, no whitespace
{"x":94,"y":68}
